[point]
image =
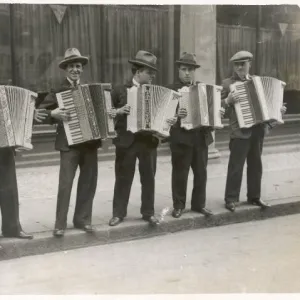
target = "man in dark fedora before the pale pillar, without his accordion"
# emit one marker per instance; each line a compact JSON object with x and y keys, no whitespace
{"x":189,"y":148}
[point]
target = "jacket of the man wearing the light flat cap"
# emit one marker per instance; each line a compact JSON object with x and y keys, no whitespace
{"x":236,"y":131}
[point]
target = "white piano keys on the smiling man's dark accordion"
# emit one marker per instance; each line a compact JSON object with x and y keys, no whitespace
{"x":74,"y":125}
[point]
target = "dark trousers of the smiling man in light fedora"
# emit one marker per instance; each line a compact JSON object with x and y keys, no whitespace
{"x":88,"y":163}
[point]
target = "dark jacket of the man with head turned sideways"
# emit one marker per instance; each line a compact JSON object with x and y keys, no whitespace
{"x":124,"y":137}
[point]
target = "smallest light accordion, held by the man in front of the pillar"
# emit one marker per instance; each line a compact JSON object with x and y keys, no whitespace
{"x":203,"y":104}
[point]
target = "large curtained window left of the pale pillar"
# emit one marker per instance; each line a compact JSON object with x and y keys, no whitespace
{"x":108,"y":34}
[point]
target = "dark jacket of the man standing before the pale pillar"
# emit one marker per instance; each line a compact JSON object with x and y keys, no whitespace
{"x":180,"y":135}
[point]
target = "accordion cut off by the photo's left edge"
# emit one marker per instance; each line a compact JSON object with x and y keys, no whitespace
{"x":17,"y":107}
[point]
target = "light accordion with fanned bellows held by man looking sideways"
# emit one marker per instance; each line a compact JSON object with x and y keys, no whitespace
{"x":151,"y":106}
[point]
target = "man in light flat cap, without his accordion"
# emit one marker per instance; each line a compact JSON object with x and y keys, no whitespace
{"x":245,"y":143}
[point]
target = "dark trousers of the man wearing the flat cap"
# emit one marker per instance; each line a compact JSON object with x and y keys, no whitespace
{"x":240,"y":150}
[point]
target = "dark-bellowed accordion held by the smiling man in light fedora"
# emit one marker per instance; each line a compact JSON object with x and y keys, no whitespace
{"x":88,"y":105}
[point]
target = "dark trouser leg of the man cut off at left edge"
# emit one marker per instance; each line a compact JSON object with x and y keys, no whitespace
{"x":9,"y":199}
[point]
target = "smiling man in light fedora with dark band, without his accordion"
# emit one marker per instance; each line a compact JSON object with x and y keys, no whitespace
{"x":83,"y":155}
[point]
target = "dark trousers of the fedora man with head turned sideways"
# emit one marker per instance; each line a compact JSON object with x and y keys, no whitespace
{"x":124,"y":171}
